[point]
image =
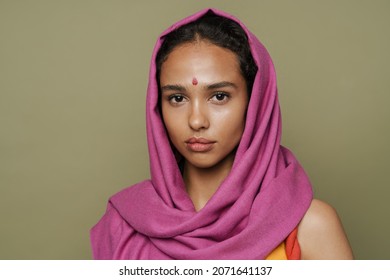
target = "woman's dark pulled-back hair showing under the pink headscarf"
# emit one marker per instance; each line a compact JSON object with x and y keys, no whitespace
{"x":220,"y":31}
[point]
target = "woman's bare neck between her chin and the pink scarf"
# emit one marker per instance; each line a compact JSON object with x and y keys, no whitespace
{"x":202,"y":183}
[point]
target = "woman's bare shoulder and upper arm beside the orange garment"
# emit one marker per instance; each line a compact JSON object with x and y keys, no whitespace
{"x":321,"y":234}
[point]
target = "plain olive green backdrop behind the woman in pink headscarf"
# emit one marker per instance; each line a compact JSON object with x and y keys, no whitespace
{"x":73,"y":77}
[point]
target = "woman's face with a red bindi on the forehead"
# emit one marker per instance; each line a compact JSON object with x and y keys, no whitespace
{"x":204,"y":101}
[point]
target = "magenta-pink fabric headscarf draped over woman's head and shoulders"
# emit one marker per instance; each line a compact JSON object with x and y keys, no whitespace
{"x":260,"y":202}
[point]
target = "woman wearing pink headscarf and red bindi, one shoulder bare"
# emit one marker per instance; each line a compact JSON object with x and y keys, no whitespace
{"x":221,"y":185}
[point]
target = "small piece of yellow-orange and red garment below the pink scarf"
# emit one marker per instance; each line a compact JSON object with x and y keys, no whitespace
{"x":287,"y":250}
